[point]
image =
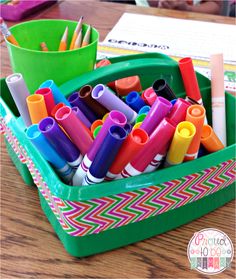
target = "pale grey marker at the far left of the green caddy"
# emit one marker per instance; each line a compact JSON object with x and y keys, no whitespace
{"x":19,"y":92}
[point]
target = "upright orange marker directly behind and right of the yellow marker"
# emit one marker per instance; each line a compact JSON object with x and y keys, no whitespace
{"x":195,"y":114}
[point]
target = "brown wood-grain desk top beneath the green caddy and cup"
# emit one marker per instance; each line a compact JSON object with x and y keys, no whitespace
{"x":31,"y":249}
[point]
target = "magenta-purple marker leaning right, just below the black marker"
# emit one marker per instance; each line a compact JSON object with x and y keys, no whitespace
{"x":157,"y":112}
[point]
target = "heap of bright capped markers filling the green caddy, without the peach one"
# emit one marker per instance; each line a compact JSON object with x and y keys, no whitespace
{"x":138,"y":129}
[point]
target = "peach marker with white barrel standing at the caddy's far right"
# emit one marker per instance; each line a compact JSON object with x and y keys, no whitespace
{"x":218,"y":96}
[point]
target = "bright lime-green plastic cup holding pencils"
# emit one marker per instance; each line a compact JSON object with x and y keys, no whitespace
{"x":36,"y":66}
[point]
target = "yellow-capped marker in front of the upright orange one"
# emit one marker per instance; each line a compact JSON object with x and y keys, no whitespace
{"x":181,"y":141}
